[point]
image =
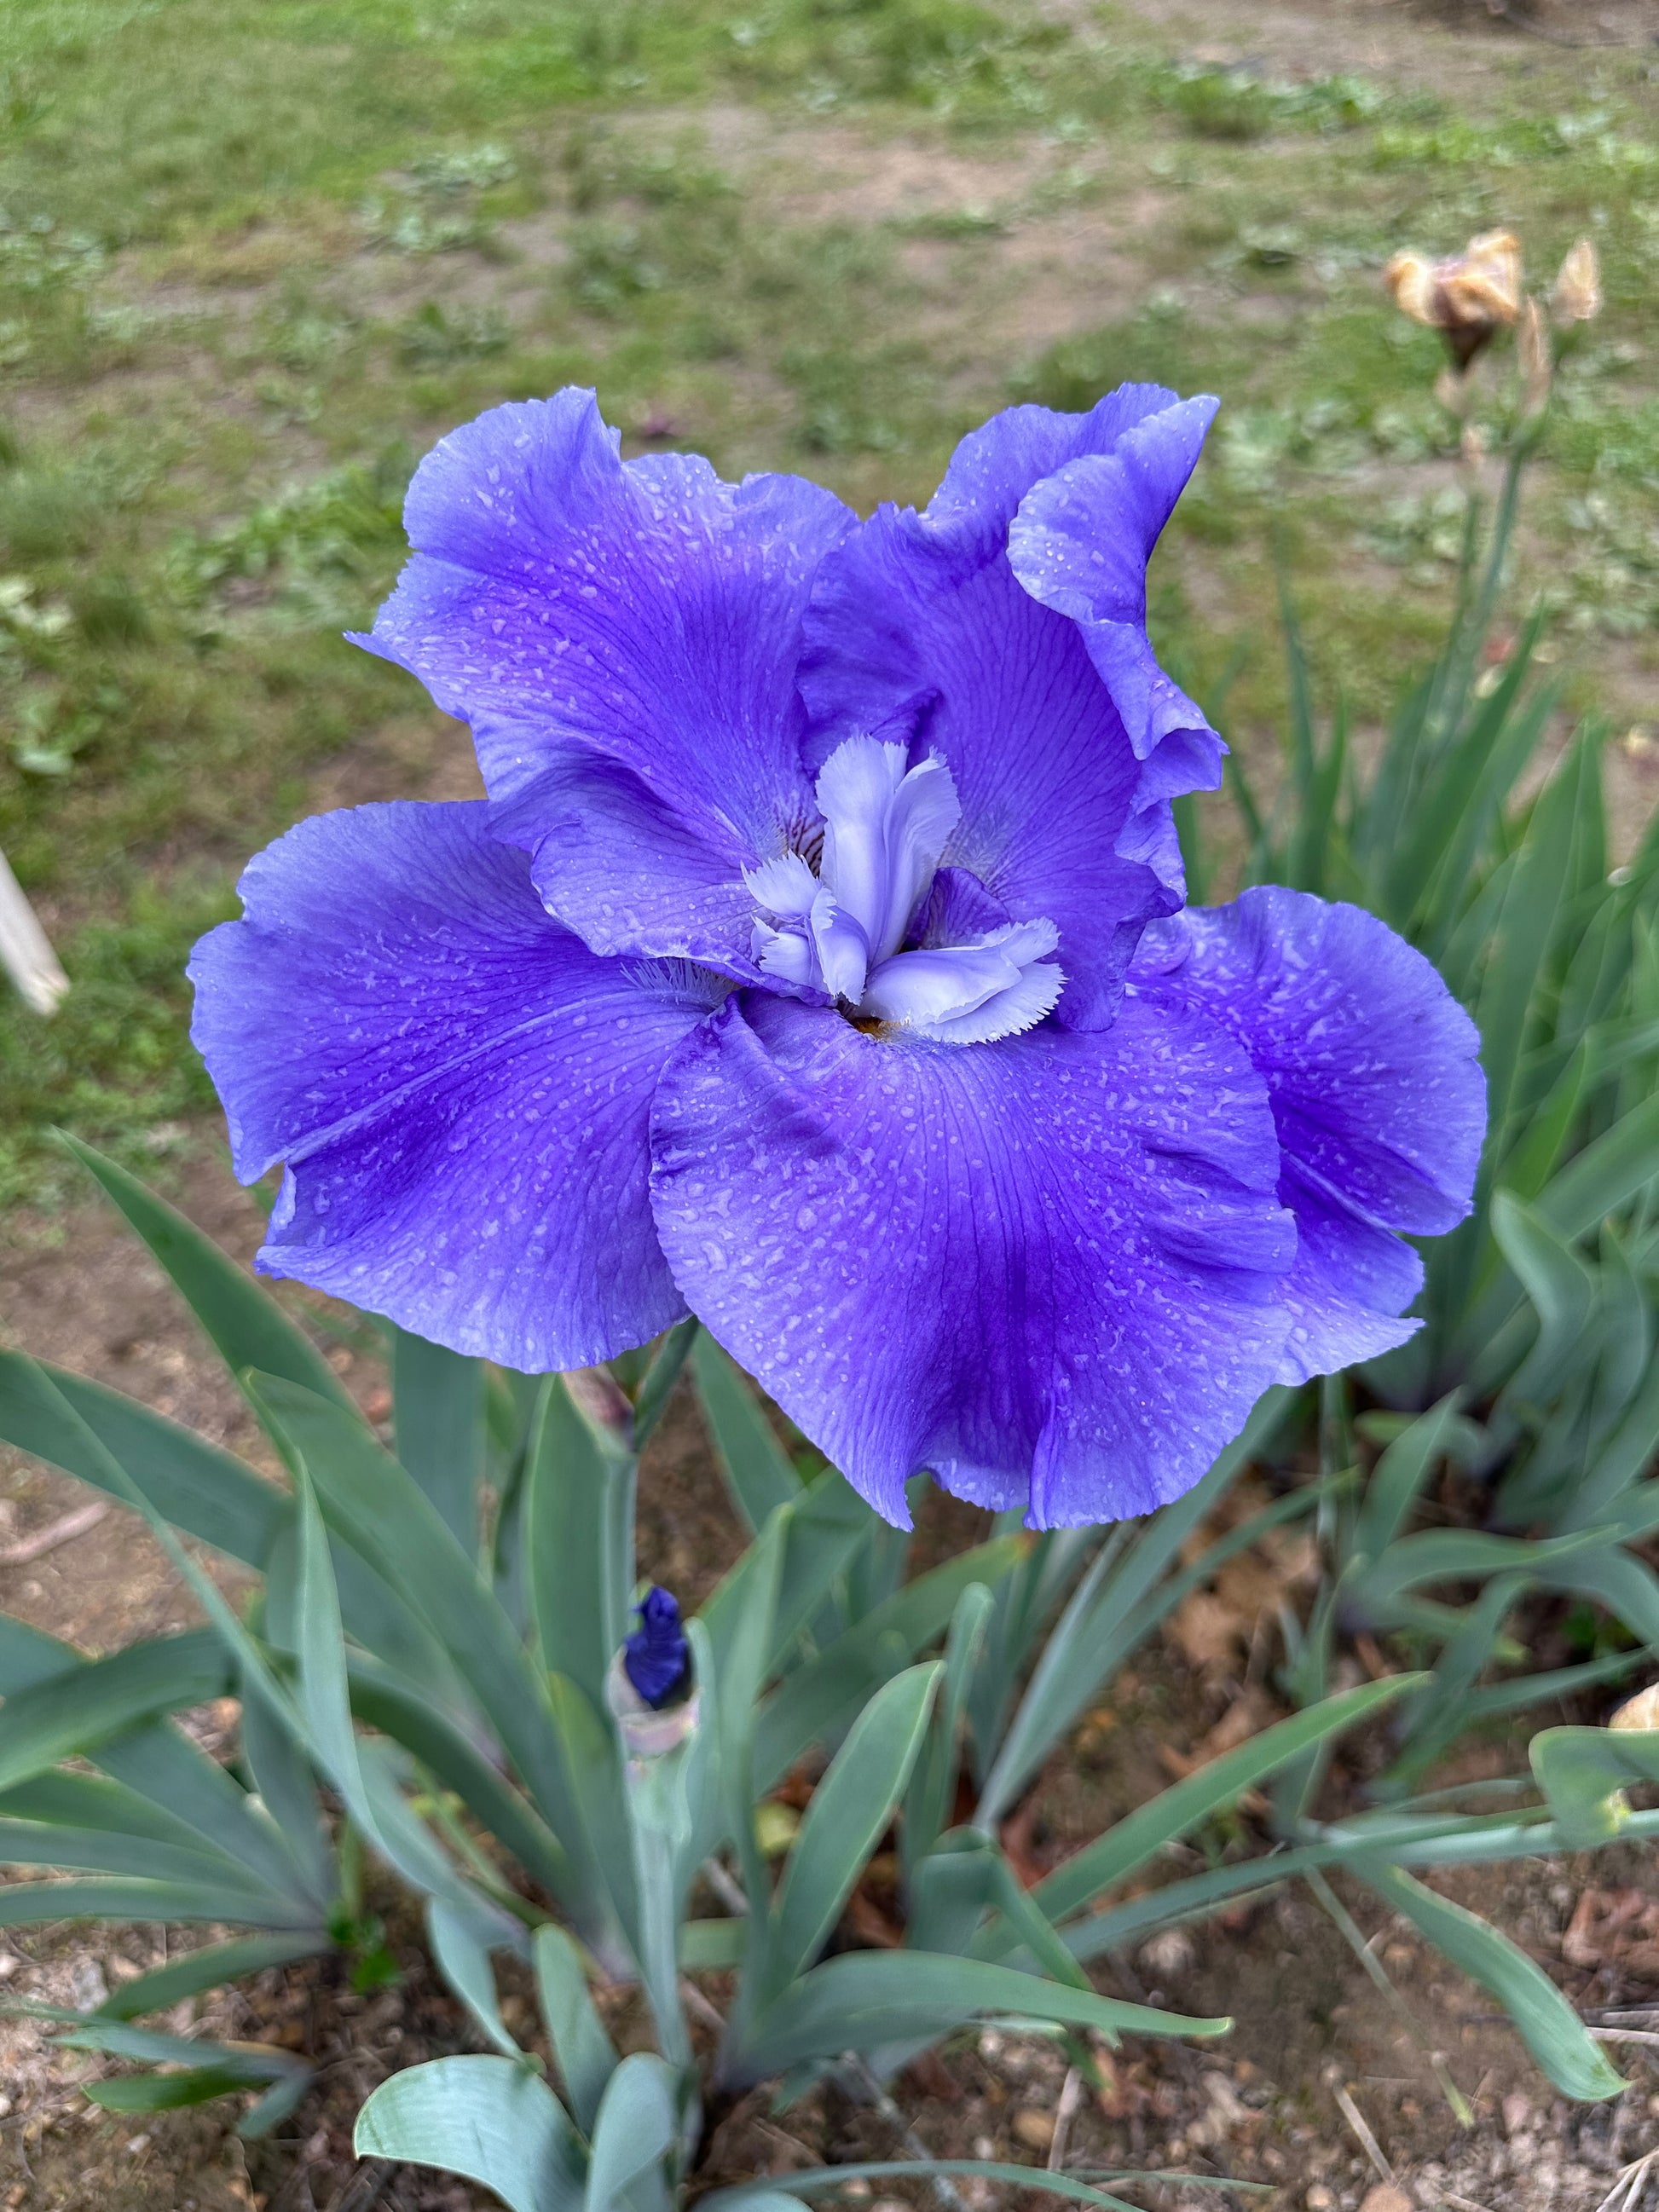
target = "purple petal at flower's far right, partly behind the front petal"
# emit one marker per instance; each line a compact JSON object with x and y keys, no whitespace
{"x":1377,"y":1092}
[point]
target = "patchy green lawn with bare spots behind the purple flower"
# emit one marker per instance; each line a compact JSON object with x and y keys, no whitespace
{"x":258,"y":258}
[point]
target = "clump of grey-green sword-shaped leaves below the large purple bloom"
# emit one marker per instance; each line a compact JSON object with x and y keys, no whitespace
{"x":459,"y":1691}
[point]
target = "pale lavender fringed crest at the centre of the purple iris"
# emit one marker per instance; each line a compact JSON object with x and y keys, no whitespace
{"x":842,"y":930}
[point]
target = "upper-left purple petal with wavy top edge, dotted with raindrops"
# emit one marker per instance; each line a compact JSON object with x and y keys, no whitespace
{"x":647,"y":609}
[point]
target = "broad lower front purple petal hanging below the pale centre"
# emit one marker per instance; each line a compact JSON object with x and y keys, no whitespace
{"x":1050,"y":1271}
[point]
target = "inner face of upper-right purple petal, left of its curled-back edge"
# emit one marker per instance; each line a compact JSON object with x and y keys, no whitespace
{"x":924,"y":616}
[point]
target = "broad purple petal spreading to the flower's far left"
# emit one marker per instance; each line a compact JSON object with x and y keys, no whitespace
{"x":457,"y":1085}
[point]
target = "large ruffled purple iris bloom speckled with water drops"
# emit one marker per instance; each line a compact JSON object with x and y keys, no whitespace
{"x":820,"y":966}
